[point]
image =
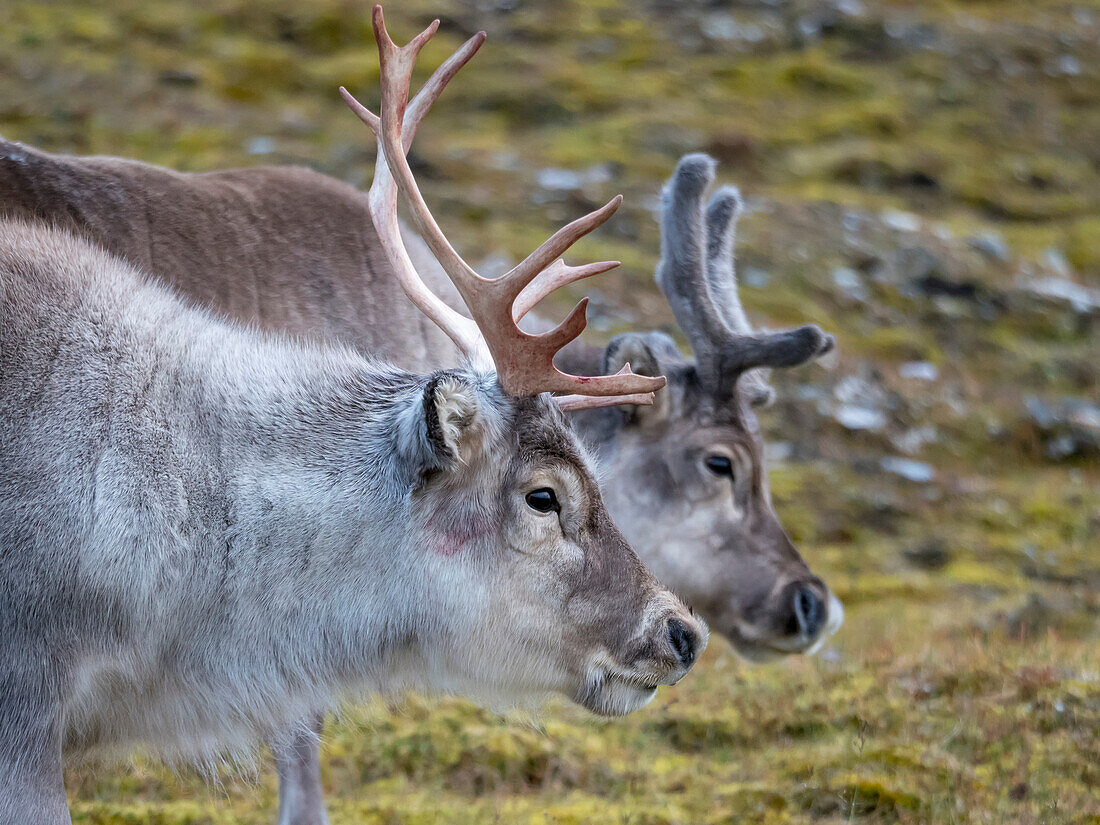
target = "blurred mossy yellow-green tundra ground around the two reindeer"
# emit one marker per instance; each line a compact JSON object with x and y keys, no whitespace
{"x":922,"y":180}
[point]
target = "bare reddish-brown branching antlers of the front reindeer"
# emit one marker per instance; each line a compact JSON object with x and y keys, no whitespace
{"x":524,"y":362}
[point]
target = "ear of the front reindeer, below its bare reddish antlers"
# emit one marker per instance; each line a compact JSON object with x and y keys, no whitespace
{"x":444,"y":428}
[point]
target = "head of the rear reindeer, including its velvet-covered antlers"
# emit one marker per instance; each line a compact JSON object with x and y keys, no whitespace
{"x":687,"y":477}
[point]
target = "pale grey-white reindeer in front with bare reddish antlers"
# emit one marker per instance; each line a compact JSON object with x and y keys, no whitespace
{"x":208,"y":533}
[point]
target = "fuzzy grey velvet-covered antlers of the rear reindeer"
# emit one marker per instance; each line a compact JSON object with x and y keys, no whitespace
{"x":697,"y":276}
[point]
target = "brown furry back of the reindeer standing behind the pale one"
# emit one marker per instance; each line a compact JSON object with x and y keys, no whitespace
{"x":284,"y":248}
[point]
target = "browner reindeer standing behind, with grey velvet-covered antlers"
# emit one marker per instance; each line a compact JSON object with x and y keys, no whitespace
{"x":685,"y":478}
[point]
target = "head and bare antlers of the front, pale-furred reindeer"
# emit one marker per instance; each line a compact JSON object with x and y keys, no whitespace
{"x":547,"y":593}
